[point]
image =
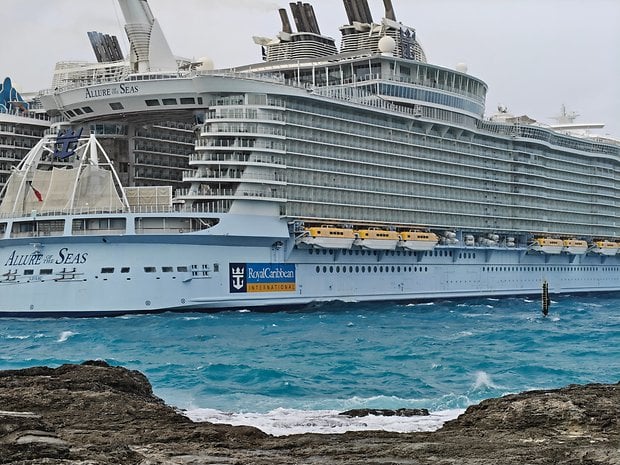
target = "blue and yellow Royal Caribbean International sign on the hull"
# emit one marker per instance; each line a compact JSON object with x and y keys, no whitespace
{"x":261,"y":277}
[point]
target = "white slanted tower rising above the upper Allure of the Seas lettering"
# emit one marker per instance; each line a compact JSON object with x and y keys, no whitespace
{"x":149,"y":48}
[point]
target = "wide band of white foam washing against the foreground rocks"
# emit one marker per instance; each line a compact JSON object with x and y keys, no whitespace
{"x":284,"y":422}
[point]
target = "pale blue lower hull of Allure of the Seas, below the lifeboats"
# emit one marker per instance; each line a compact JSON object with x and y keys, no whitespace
{"x":223,"y":268}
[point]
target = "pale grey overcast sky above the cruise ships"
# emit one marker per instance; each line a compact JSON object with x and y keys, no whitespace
{"x":535,"y":55}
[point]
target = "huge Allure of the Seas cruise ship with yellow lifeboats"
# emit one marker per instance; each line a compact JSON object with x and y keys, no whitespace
{"x":322,"y":173}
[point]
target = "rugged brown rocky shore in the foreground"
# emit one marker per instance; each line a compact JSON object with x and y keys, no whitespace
{"x":94,"y":414}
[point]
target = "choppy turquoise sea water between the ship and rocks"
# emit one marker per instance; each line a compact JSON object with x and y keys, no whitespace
{"x":291,"y":372}
